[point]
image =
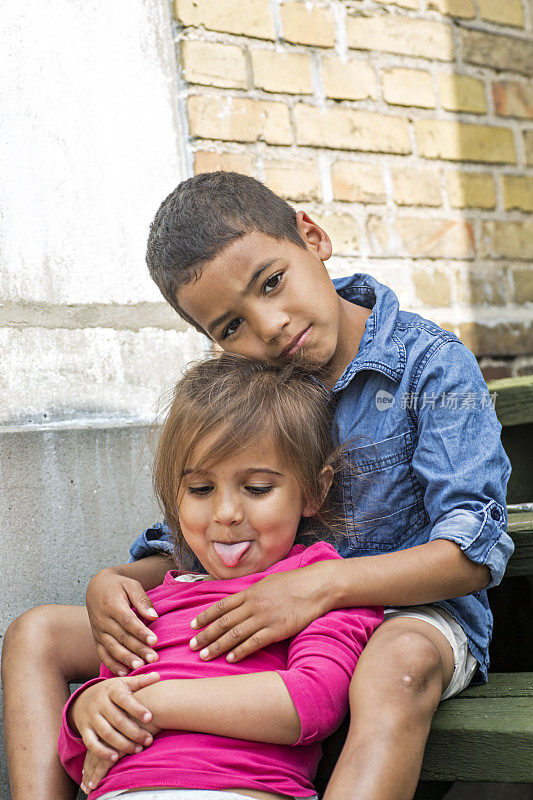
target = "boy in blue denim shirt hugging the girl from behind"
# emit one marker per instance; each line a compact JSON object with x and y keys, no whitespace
{"x":426,"y":514}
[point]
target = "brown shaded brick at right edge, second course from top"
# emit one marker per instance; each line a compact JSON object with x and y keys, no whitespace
{"x":499,"y":52}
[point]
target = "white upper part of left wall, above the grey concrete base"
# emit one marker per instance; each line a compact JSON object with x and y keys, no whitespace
{"x":91,"y":143}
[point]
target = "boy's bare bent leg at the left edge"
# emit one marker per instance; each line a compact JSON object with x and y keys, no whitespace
{"x":45,"y":649}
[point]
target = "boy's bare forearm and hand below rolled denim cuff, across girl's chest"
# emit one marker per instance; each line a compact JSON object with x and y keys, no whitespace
{"x":282,"y":604}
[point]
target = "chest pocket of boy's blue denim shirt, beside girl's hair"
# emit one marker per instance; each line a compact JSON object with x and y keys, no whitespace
{"x":383,"y":500}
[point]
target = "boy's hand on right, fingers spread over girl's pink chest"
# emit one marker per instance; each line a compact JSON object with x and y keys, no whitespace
{"x":275,"y":608}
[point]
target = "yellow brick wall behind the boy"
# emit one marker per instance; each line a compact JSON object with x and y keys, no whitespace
{"x":405,"y":128}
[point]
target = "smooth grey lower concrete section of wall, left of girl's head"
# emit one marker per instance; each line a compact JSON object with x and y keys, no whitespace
{"x":72,"y":498}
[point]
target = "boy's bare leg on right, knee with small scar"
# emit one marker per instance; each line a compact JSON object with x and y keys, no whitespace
{"x":394,"y":693}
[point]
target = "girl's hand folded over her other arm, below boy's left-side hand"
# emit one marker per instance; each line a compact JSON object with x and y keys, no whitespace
{"x":110,"y":720}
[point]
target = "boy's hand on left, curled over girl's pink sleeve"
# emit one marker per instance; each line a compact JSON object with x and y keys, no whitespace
{"x":121,"y":638}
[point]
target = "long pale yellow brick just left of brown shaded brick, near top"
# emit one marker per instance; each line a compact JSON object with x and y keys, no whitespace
{"x":396,"y":34}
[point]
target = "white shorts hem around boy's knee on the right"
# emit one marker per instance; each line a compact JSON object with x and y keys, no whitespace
{"x":465,"y":664}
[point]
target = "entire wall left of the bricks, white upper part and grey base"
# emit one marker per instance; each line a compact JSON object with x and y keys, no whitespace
{"x":91,"y":143}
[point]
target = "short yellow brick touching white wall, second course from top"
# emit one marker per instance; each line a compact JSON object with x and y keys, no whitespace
{"x":214,"y":64}
